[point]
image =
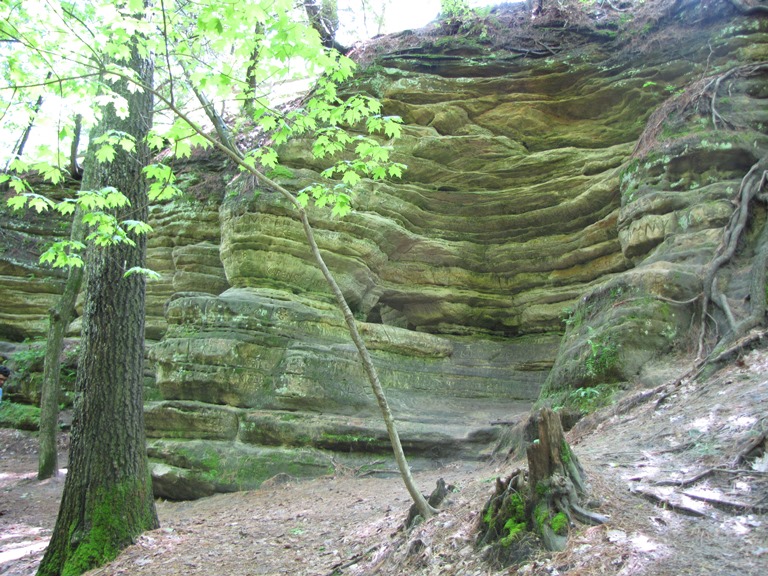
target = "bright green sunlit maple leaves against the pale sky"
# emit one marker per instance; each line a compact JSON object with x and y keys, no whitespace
{"x":87,"y":45}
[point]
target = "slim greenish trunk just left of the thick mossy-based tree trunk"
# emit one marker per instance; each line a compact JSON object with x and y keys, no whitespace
{"x":60,"y":317}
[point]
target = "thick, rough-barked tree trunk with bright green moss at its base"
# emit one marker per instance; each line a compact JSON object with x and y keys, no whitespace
{"x":107,"y":499}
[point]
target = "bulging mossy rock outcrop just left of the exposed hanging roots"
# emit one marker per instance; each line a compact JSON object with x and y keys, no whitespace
{"x":677,"y":195}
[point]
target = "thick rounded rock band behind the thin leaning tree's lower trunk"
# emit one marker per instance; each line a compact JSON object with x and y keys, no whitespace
{"x":247,"y":348}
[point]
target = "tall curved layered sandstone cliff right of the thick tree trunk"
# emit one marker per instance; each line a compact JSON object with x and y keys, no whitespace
{"x":541,"y":186}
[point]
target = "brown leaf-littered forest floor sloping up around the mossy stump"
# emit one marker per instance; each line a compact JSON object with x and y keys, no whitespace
{"x":642,"y":456}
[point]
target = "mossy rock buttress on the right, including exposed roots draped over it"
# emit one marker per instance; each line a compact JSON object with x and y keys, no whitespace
{"x":683,"y":194}
